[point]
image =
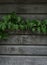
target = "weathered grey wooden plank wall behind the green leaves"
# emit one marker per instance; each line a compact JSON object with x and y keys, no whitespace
{"x":24,"y":49}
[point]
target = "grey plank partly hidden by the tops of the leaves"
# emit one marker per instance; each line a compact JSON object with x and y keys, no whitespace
{"x":30,"y":16}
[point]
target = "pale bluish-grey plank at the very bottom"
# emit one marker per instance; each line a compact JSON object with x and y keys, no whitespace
{"x":23,"y":60}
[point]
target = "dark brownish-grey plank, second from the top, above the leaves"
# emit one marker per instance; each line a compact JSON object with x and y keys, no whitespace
{"x":23,"y":8}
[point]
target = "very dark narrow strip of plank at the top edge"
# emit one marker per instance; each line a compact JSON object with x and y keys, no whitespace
{"x":23,"y":1}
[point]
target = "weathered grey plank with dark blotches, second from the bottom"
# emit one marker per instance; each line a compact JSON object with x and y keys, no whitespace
{"x":32,"y":50}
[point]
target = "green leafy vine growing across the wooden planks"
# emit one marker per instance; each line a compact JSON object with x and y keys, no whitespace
{"x":13,"y":22}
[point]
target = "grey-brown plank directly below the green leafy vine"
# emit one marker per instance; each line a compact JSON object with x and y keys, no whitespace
{"x":25,"y":39}
